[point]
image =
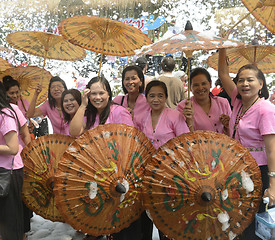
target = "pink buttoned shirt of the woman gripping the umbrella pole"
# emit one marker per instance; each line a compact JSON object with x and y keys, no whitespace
{"x":210,"y":121}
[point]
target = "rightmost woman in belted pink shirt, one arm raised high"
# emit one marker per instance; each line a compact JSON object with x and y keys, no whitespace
{"x":252,"y":123}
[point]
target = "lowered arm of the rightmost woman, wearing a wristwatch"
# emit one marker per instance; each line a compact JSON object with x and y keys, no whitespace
{"x":269,"y":141}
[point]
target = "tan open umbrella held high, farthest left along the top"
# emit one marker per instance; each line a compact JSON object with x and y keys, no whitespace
{"x":46,"y":45}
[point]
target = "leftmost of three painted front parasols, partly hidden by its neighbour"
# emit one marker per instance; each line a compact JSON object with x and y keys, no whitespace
{"x":40,"y":158}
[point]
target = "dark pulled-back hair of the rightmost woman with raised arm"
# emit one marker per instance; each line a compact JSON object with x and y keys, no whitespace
{"x":259,"y":75}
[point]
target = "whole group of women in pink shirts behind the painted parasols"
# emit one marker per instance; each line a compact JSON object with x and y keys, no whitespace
{"x":251,"y":122}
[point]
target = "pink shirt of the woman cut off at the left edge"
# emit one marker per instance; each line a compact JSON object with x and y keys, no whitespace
{"x":7,"y":124}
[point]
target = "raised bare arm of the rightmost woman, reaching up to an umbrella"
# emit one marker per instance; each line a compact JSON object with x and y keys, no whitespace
{"x":223,"y":73}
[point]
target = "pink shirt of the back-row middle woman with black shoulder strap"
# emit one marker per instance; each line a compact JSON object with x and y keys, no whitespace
{"x":140,"y":107}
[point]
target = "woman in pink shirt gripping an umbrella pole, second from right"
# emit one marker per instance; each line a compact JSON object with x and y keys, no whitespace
{"x":205,"y":111}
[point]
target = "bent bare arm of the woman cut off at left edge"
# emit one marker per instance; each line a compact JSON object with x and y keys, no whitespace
{"x":12,"y":145}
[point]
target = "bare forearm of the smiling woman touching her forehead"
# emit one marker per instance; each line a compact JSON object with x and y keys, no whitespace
{"x":77,"y":126}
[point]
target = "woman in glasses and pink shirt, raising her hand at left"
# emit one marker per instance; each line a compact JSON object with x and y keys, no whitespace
{"x":51,"y":107}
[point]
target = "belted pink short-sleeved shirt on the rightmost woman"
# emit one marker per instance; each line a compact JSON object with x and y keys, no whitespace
{"x":259,"y":120}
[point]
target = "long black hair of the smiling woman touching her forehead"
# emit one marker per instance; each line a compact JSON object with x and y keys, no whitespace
{"x":91,"y":111}
